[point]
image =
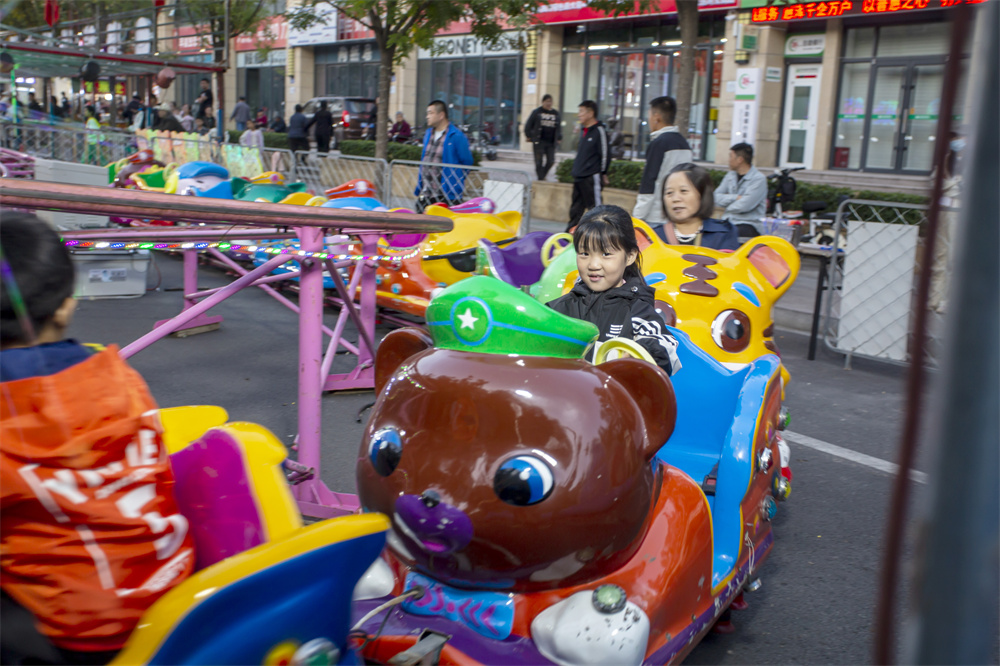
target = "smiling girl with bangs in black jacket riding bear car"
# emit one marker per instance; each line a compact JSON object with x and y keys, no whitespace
{"x":611,"y":292}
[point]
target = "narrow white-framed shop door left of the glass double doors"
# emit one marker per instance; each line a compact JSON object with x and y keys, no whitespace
{"x":798,"y":136}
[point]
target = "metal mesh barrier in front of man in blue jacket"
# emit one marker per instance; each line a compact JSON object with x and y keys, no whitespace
{"x":413,"y":184}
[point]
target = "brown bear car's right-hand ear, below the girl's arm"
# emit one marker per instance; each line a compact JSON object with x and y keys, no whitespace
{"x":652,"y":391}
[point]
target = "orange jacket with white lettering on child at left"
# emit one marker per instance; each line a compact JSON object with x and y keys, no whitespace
{"x":90,"y":534}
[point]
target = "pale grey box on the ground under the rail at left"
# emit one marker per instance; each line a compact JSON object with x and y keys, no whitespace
{"x":111,"y":274}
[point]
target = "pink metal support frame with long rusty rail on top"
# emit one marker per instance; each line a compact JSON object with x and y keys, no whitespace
{"x":309,"y":222}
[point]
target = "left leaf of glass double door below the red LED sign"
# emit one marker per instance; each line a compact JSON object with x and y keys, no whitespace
{"x":884,"y":117}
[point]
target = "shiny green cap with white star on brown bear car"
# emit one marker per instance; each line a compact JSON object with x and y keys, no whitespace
{"x":486,"y":315}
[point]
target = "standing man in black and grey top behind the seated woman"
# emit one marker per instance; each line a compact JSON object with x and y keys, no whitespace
{"x":667,"y":148}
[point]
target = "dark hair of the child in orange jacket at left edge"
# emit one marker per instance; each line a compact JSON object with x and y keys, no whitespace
{"x":42,"y":271}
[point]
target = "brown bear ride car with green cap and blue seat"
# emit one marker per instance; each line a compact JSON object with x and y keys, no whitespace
{"x":514,"y":469}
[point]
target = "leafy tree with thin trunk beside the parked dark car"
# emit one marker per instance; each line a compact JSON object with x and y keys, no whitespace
{"x":401,"y":25}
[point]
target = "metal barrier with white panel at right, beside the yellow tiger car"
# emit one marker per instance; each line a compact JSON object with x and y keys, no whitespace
{"x":871,"y":305}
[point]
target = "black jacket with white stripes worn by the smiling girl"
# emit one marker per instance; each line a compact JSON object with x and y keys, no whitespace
{"x":623,"y":312}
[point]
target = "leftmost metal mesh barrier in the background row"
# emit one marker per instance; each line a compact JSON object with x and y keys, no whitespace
{"x":81,"y":146}
